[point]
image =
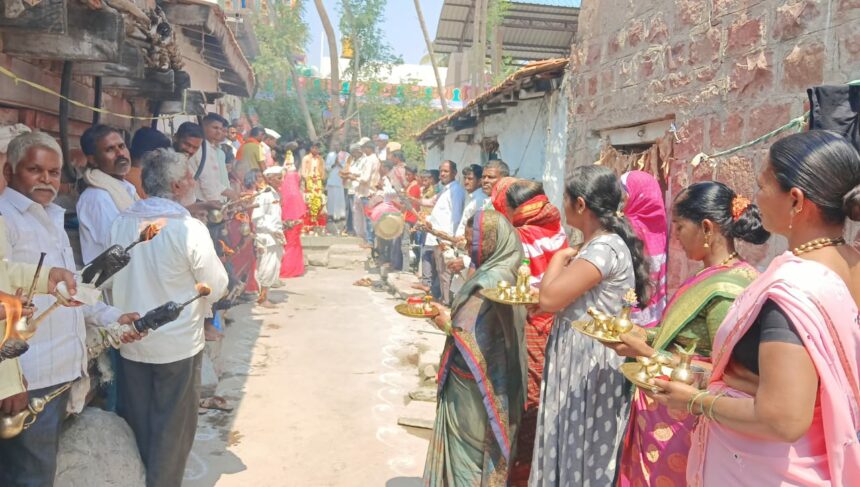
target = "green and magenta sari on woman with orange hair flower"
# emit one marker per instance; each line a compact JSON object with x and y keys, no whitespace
{"x":658,"y":439}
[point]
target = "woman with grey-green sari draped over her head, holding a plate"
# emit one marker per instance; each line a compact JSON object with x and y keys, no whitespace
{"x":482,"y":374}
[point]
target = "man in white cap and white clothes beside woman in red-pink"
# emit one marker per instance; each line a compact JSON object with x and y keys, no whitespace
{"x":269,"y":238}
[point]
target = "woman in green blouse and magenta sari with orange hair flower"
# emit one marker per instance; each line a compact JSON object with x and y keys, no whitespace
{"x":707,"y":218}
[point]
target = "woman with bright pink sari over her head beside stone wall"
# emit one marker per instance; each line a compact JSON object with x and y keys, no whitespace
{"x":647,"y":214}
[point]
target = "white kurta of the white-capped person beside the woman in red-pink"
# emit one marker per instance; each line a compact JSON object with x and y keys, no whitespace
{"x":270,"y":238}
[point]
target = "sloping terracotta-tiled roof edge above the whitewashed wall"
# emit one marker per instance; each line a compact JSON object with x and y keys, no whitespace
{"x":548,"y":68}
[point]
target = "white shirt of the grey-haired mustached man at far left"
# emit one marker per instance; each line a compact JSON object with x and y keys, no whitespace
{"x":57,"y":351}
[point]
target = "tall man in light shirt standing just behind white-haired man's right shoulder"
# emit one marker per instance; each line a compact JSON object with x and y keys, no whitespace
{"x":207,"y":165}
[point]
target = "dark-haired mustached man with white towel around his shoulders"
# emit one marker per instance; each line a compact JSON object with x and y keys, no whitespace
{"x":107,"y":192}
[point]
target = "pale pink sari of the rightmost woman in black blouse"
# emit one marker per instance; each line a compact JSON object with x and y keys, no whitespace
{"x":823,"y":311}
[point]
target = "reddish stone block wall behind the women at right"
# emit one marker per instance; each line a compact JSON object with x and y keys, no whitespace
{"x":726,"y":70}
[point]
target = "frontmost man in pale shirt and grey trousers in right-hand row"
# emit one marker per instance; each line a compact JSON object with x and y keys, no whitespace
{"x":445,"y":217}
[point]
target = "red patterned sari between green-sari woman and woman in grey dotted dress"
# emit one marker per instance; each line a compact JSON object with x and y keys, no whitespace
{"x":538,"y":224}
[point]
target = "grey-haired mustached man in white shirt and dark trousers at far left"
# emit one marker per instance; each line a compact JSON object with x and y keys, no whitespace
{"x":57,"y":353}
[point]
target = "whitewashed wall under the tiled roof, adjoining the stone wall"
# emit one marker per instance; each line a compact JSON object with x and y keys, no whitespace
{"x":531,"y":138}
